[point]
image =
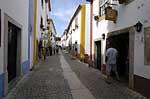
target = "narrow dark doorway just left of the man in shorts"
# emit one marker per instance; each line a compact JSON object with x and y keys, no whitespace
{"x":98,"y":55}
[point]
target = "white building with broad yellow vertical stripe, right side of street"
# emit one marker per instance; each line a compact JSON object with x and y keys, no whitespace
{"x":78,"y":30}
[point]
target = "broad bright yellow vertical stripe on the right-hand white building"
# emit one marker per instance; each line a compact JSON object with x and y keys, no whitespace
{"x":82,"y":32}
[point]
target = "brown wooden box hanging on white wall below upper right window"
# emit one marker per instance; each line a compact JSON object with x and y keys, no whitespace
{"x":111,"y":14}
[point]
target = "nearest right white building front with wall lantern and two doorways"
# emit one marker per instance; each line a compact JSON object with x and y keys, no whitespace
{"x":132,"y":45}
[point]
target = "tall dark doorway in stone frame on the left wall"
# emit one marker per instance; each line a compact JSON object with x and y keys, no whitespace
{"x":13,"y":50}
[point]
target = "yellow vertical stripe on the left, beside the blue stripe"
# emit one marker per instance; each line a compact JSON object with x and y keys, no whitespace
{"x":34,"y":43}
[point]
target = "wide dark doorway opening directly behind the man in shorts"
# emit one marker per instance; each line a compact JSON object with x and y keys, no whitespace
{"x":121,"y":43}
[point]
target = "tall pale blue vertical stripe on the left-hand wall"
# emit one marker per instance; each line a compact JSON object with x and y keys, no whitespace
{"x":29,"y":31}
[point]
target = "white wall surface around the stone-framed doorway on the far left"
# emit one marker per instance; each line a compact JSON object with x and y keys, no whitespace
{"x":18,"y":10}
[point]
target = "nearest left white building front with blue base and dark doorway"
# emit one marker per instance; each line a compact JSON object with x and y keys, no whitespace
{"x":14,"y":41}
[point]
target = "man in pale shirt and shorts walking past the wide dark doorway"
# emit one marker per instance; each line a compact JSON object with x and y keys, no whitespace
{"x":111,"y":60}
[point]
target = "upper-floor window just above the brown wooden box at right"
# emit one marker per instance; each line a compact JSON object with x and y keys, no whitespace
{"x":103,"y":5}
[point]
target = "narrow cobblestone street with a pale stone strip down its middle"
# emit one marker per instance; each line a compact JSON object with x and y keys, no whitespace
{"x":61,"y":77}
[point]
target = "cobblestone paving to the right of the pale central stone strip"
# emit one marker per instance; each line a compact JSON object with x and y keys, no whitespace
{"x":95,"y":82}
